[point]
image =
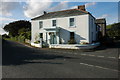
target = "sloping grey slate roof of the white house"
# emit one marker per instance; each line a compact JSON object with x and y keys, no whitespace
{"x":63,"y":13}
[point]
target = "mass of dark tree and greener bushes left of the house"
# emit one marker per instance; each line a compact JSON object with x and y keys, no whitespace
{"x":18,"y":31}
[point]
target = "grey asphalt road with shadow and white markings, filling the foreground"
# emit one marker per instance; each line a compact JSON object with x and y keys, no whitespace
{"x":21,"y":61}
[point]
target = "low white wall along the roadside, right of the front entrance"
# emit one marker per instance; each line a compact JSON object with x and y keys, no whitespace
{"x":74,"y":46}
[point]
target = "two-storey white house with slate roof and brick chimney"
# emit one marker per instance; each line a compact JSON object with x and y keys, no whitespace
{"x":61,"y":26}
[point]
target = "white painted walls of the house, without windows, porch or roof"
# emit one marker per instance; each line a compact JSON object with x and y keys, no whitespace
{"x":81,"y":28}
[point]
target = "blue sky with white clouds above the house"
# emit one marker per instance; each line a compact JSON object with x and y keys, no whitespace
{"x":14,"y":11}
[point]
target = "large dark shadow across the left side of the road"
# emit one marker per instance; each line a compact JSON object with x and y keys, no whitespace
{"x":16,"y":54}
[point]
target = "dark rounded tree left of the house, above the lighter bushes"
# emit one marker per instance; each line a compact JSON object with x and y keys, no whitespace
{"x":14,"y":27}
